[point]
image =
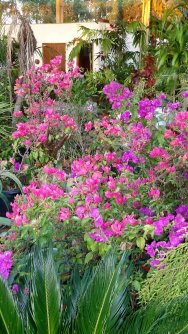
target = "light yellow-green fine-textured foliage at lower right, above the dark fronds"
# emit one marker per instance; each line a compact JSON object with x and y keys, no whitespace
{"x":166,"y":284}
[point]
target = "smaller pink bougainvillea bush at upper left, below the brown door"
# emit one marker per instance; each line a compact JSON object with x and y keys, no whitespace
{"x":49,"y":116}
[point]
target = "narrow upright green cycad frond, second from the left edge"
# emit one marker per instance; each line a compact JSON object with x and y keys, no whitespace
{"x":45,"y":294}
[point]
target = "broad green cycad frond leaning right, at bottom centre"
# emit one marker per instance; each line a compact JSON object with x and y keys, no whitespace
{"x":98,"y":304}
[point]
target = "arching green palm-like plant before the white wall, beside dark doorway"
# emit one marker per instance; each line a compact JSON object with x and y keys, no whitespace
{"x":113,"y":42}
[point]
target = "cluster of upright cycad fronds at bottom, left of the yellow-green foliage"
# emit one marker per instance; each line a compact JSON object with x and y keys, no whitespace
{"x":97,"y":303}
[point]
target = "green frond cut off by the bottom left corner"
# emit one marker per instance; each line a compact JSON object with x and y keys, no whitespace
{"x":10,"y":318}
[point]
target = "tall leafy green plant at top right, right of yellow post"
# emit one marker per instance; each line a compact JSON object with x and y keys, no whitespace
{"x":171,"y":51}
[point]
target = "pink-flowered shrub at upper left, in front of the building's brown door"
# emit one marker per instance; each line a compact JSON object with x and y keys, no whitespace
{"x":44,"y":125}
